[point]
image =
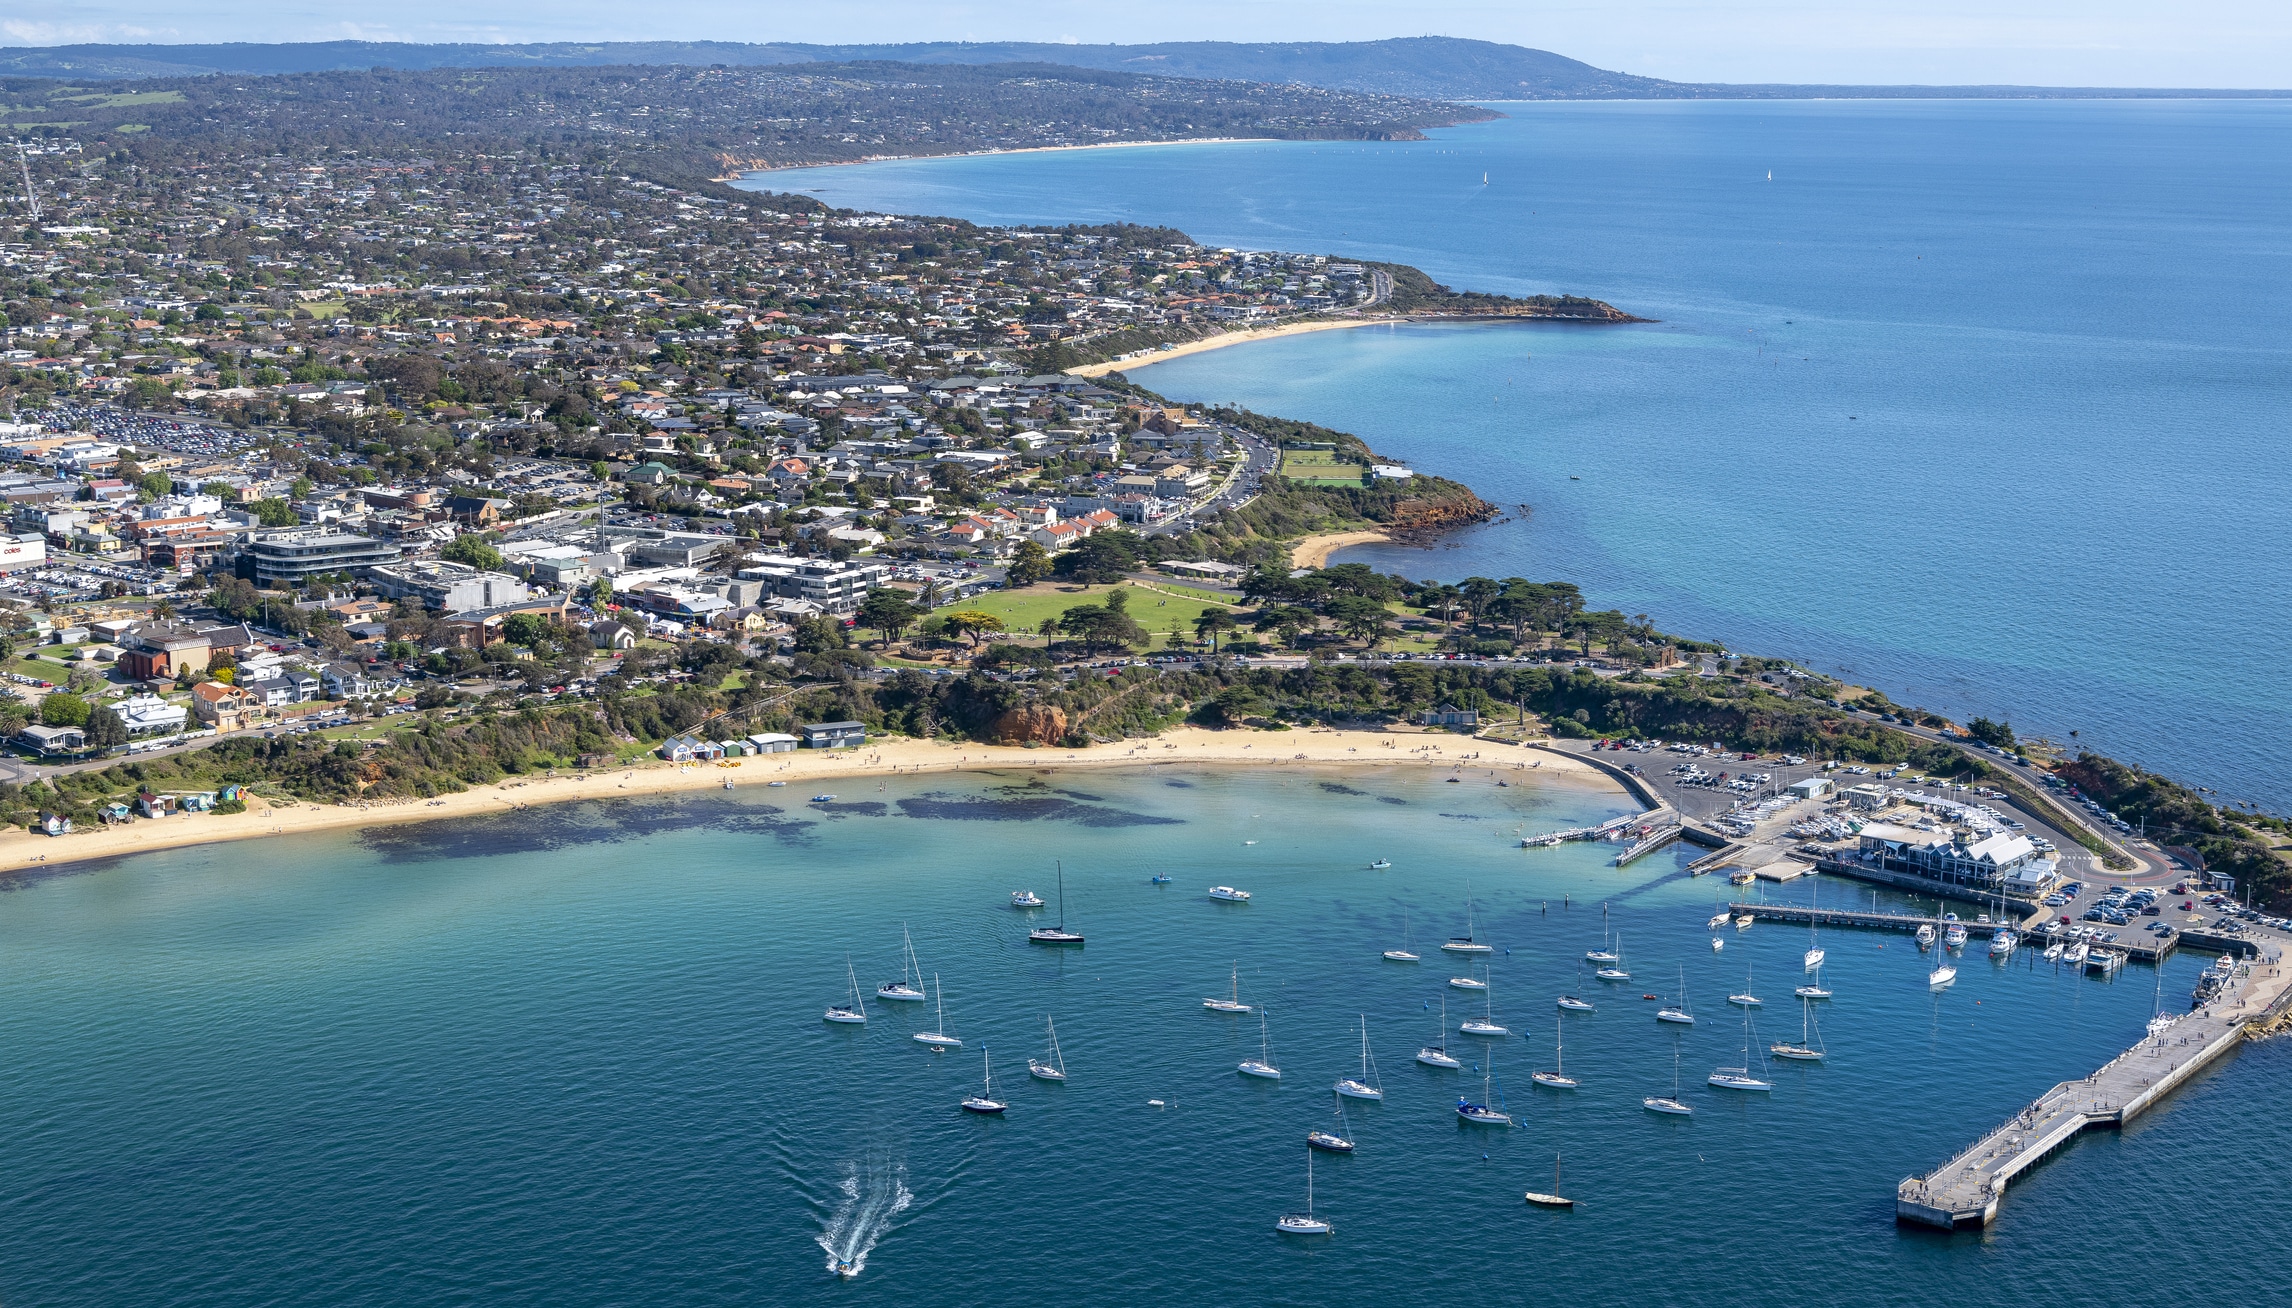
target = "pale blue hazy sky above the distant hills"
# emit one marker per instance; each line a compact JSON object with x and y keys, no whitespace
{"x":2048,"y":42}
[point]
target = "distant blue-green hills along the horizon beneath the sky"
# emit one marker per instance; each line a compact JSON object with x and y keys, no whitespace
{"x":1427,"y":68}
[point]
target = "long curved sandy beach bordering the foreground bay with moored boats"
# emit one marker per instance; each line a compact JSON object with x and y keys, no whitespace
{"x":806,"y":773}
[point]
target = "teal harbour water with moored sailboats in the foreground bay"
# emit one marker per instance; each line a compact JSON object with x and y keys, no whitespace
{"x":576,"y":1057}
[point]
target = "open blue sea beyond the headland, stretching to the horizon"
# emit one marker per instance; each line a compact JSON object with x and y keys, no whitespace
{"x":1977,"y":402}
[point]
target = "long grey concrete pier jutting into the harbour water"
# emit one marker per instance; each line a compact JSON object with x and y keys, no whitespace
{"x":1968,"y":1190}
